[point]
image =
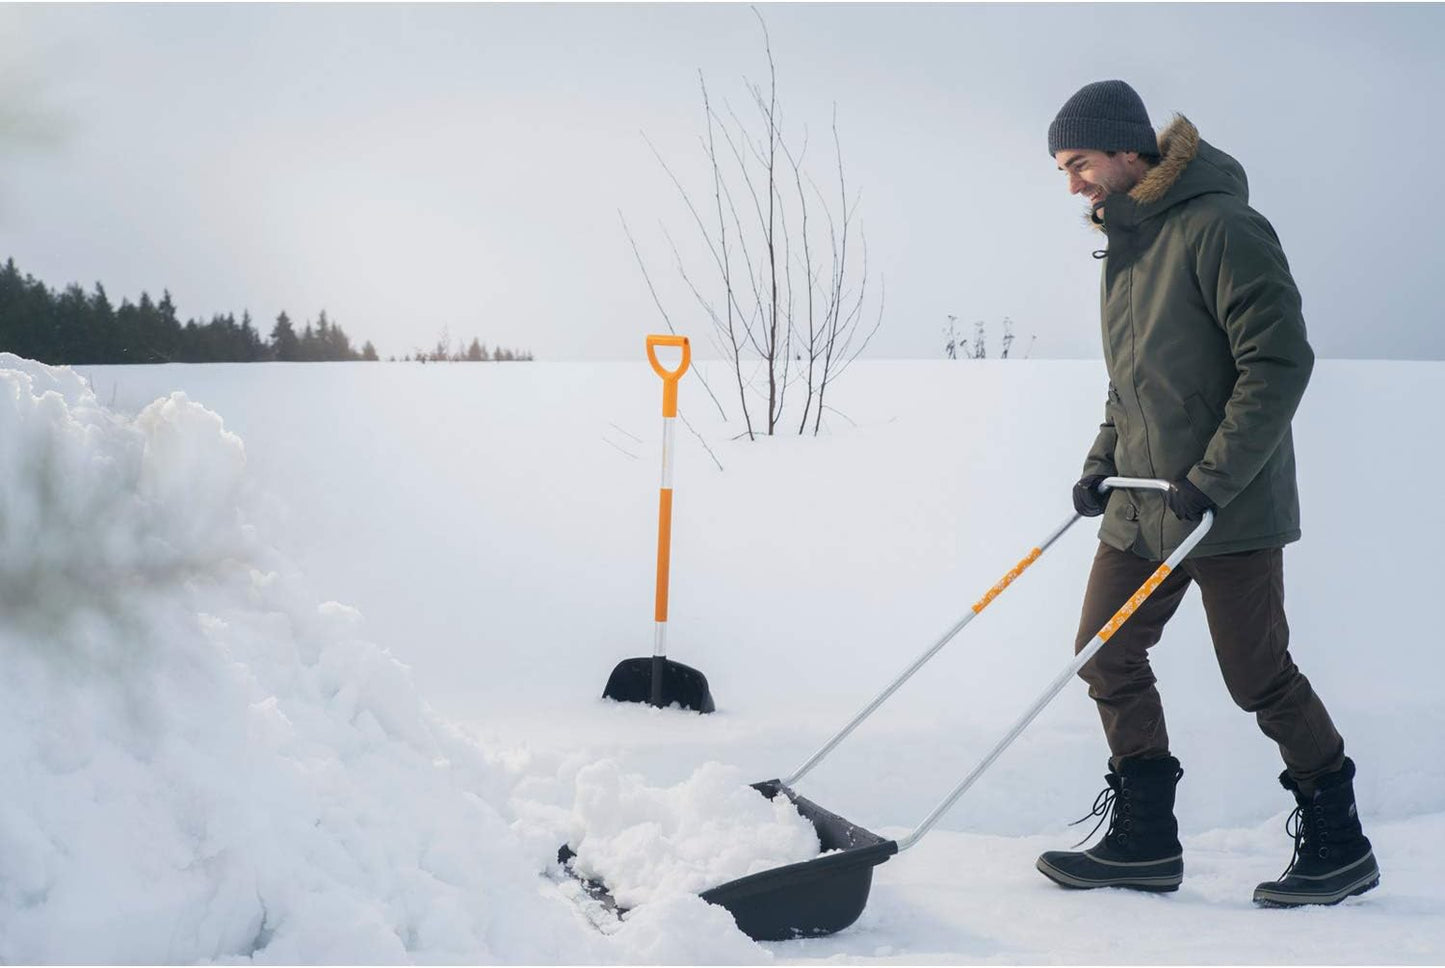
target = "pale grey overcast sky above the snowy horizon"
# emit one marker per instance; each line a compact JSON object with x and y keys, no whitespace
{"x":411,"y":168}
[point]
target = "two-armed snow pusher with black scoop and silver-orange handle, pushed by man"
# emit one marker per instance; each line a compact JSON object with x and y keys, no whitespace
{"x":827,"y":894}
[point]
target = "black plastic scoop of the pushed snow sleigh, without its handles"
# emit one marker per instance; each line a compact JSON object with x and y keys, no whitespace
{"x":813,"y":898}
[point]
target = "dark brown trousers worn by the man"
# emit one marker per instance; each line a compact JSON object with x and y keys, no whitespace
{"x":1245,"y":603}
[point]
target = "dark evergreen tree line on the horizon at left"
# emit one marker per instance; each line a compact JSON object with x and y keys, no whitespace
{"x":77,"y":327}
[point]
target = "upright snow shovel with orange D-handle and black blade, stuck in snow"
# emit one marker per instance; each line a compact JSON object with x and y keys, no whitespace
{"x":660,"y":681}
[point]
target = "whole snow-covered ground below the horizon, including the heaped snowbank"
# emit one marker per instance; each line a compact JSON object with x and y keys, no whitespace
{"x":306,"y":665}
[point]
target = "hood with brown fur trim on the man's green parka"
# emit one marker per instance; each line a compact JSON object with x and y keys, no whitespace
{"x":1189,"y":167}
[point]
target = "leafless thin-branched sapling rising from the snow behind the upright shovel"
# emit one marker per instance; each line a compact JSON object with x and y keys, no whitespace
{"x":785,"y":290}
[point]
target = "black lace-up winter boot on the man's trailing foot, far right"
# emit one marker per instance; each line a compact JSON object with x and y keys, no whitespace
{"x":1333,"y":857}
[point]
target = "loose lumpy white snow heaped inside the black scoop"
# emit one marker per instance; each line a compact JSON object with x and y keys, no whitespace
{"x":651,"y":843}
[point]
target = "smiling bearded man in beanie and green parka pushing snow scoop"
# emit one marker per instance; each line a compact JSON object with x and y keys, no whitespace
{"x":1207,"y":360}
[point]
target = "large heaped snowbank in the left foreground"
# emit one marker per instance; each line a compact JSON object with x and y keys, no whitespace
{"x":203,"y":764}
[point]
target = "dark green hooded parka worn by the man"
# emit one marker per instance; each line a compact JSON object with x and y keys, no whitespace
{"x":1207,"y":356}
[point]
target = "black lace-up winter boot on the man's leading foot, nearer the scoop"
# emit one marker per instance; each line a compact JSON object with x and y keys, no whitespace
{"x":1141,"y":850}
